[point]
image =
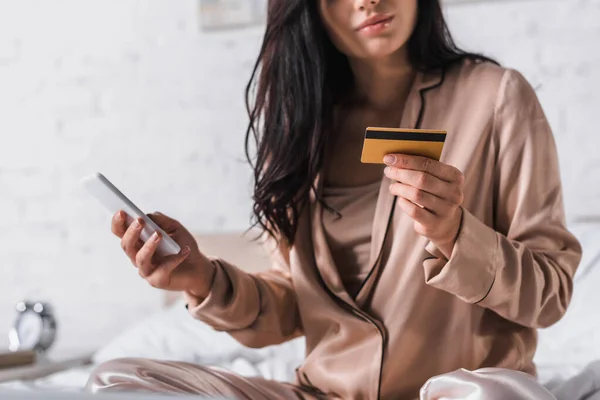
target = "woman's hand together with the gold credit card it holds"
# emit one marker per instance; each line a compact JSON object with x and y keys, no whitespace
{"x":429,"y":191}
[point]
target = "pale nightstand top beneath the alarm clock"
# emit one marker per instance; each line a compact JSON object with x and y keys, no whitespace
{"x":43,"y":367}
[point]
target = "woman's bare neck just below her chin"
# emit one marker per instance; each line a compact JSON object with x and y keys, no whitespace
{"x":383,"y":83}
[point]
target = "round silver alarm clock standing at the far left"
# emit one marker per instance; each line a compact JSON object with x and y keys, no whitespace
{"x":34,"y":327}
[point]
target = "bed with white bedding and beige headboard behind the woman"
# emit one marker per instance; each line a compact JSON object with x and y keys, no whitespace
{"x":567,"y":351}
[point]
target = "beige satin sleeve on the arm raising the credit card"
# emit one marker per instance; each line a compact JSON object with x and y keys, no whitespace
{"x":523,"y":267}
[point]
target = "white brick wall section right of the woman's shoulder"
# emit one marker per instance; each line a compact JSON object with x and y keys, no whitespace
{"x":555,"y":43}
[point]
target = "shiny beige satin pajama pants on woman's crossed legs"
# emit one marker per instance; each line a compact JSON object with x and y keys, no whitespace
{"x":169,"y":377}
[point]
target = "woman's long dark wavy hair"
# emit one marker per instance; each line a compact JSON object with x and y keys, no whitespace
{"x":297,"y":80}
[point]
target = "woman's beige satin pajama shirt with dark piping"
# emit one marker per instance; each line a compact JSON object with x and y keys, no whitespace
{"x":419,"y":314}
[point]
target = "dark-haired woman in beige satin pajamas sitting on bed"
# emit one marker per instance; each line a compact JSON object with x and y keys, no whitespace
{"x":388,"y":293}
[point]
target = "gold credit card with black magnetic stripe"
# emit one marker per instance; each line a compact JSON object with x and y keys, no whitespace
{"x":419,"y":142}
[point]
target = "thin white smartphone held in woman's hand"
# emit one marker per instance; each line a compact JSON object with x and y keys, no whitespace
{"x":114,"y":200}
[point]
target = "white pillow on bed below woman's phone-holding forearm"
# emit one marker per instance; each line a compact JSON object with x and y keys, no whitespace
{"x":173,"y":334}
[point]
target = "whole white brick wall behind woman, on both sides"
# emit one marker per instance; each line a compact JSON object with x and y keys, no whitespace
{"x":133,"y":89}
